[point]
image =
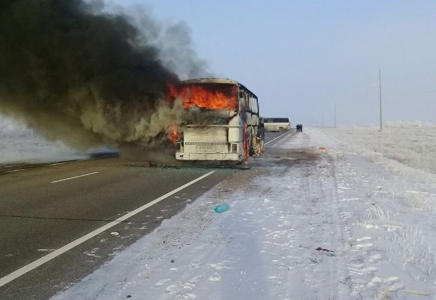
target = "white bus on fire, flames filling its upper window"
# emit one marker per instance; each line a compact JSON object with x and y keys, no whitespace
{"x":224,"y":122}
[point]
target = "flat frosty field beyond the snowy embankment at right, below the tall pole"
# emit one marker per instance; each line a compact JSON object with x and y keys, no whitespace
{"x":398,"y":147}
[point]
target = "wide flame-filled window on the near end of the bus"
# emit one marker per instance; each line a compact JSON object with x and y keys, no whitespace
{"x":209,"y":95}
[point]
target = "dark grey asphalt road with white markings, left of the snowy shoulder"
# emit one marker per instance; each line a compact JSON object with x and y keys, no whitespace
{"x":44,"y":209}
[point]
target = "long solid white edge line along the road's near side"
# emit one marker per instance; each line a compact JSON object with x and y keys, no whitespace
{"x":20,"y":272}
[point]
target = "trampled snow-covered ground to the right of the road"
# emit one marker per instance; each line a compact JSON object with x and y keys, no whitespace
{"x":304,"y":223}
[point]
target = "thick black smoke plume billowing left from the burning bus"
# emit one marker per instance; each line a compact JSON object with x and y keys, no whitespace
{"x":74,"y":71}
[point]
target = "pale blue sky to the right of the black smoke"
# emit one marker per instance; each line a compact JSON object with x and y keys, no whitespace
{"x":302,"y":56}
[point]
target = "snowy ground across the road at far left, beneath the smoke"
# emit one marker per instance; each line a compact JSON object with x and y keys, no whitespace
{"x":21,"y":145}
